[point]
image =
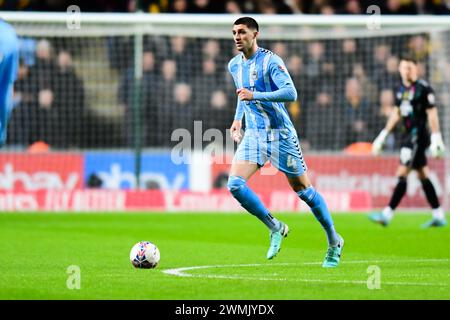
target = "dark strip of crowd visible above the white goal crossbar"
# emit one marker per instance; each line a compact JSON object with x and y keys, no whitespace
{"x":238,"y":6}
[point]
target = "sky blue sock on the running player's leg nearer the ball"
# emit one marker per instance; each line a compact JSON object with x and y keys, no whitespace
{"x":250,"y":201}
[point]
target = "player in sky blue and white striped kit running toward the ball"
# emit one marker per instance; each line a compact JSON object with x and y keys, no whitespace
{"x":263,"y":85}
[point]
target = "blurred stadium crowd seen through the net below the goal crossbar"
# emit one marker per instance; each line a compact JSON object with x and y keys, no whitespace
{"x":344,"y":90}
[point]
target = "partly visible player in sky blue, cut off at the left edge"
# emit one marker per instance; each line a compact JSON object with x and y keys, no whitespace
{"x":9,"y":64}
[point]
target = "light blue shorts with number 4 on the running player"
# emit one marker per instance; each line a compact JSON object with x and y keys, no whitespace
{"x":284,"y":154}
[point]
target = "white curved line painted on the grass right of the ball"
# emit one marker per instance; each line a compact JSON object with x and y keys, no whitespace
{"x":181,"y":272}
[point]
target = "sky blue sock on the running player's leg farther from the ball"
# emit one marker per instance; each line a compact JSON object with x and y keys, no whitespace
{"x":318,"y":206}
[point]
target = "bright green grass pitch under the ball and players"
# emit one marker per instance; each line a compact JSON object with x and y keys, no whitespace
{"x":36,"y":250}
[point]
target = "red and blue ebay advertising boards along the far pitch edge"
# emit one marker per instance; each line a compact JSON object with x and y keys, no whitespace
{"x":59,"y":182}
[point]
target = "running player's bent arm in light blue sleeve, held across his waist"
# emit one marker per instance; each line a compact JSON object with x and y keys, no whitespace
{"x":285,"y":91}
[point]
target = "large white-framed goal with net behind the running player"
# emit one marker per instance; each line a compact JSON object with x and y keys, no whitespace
{"x":98,"y":100}
